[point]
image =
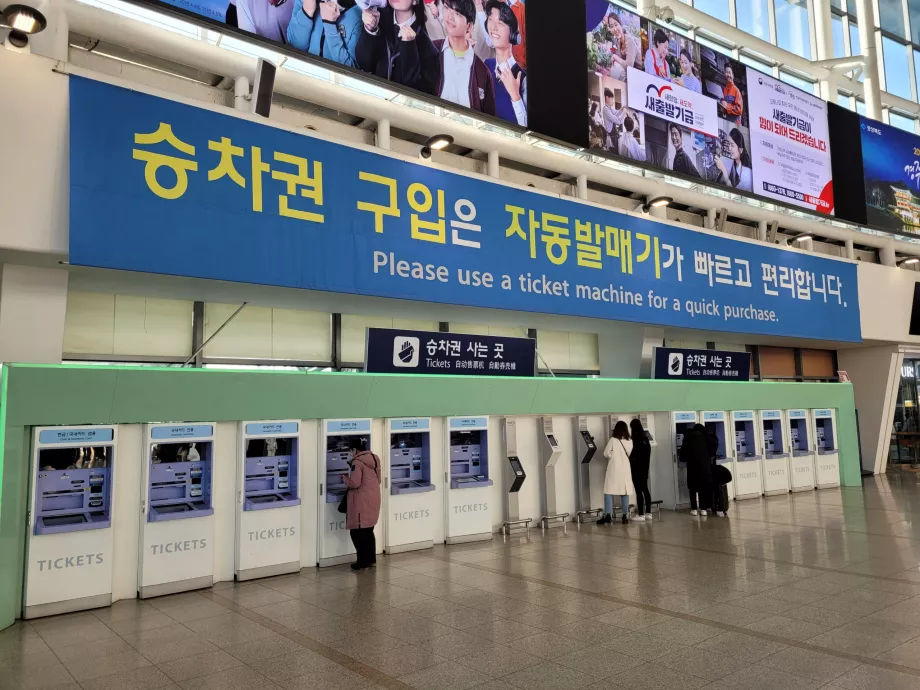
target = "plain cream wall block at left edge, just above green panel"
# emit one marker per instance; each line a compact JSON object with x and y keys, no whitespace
{"x":33,"y":305}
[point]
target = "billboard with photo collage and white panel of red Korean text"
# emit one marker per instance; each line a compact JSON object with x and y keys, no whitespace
{"x":659,"y":98}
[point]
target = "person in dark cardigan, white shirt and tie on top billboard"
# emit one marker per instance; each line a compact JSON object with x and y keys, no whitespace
{"x":465,"y":79}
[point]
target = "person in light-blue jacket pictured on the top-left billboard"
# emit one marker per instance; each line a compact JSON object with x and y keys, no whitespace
{"x":328,"y":28}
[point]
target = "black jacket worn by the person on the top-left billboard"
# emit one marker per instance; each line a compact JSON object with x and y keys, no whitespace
{"x":415,"y":64}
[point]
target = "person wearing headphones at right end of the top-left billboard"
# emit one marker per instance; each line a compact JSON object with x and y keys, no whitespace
{"x":509,"y":77}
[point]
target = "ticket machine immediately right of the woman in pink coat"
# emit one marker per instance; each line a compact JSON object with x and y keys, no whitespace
{"x":408,"y":492}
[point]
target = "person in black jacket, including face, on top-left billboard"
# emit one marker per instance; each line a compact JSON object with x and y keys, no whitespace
{"x":394,"y":44}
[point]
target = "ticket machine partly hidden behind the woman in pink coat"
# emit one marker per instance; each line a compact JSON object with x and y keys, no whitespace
{"x":334,"y":543}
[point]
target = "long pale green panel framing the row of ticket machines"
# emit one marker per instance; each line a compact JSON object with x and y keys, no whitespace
{"x":46,"y":395}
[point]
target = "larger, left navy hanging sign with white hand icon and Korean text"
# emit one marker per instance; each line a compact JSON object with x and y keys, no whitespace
{"x":392,"y":351}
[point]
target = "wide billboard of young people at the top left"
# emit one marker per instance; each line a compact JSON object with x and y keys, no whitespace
{"x":469,"y":52}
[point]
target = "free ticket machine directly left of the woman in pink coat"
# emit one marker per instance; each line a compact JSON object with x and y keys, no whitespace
{"x":268,"y":512}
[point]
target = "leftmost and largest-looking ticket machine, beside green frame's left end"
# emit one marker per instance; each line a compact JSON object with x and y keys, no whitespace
{"x":70,"y":540}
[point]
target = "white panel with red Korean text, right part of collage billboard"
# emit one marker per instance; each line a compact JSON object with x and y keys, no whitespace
{"x":789,"y":142}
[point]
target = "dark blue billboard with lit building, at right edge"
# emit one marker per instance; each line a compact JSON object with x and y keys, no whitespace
{"x":891,"y":169}
